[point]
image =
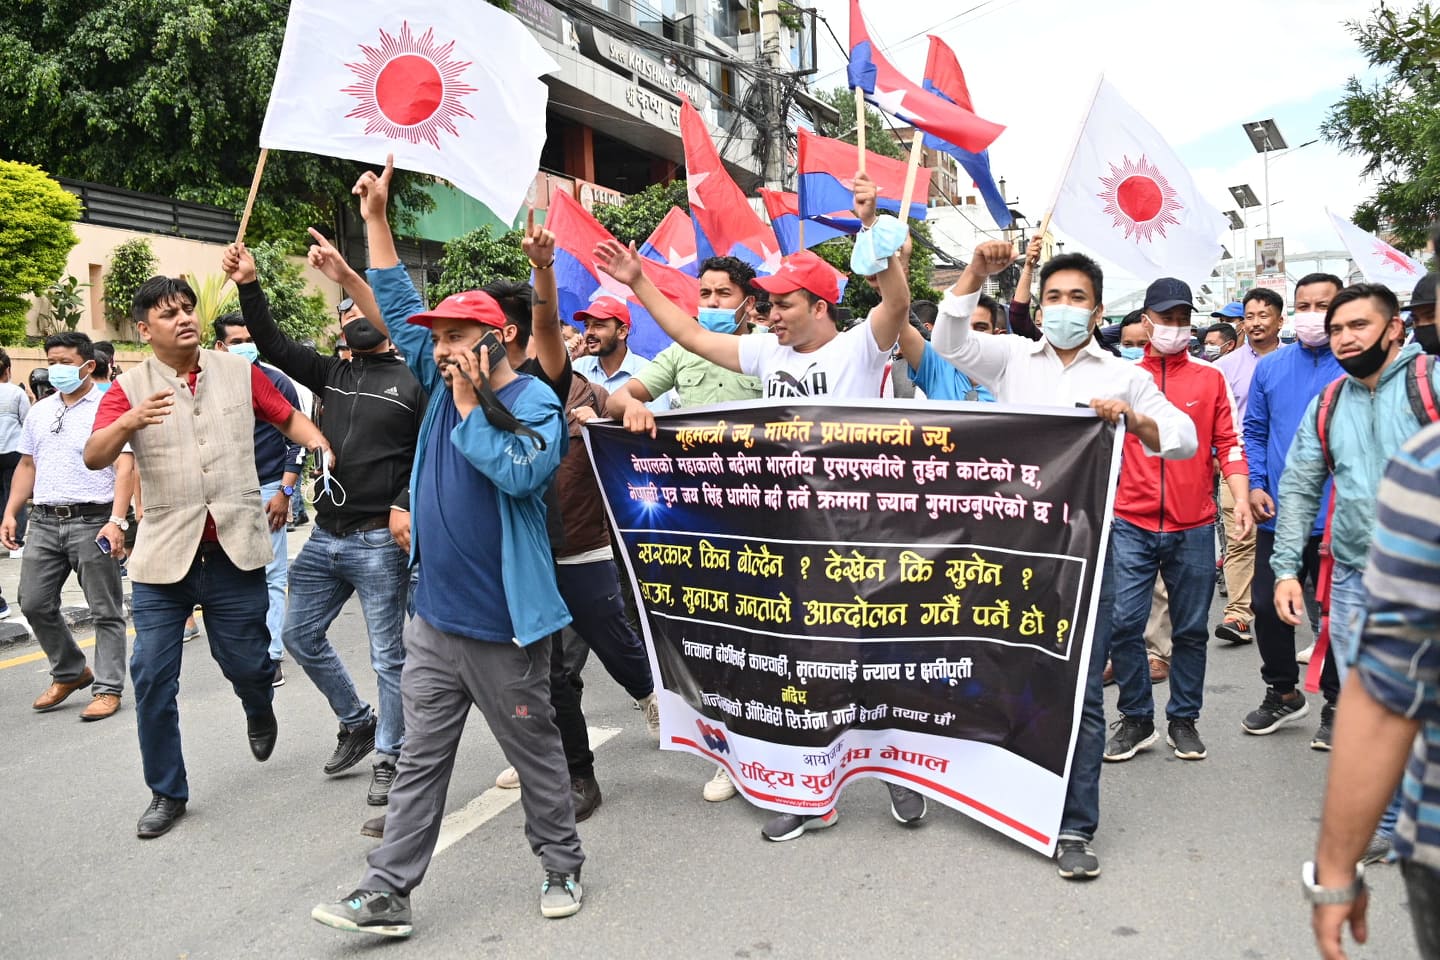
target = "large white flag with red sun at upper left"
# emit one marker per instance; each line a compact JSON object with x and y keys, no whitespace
{"x":451,"y":90}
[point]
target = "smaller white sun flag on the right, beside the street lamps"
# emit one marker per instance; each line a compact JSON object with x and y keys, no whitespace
{"x":1127,"y":198}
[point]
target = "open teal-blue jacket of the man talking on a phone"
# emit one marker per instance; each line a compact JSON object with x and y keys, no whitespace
{"x":519,"y":471}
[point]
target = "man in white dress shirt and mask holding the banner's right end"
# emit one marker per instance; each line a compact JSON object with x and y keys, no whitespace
{"x":1066,"y":368}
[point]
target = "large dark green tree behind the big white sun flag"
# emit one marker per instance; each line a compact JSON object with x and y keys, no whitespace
{"x":166,"y":97}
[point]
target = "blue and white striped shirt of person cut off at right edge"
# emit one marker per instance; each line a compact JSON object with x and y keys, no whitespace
{"x":1400,"y":651}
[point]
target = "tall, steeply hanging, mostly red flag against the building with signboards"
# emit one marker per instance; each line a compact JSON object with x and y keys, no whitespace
{"x":725,"y":221}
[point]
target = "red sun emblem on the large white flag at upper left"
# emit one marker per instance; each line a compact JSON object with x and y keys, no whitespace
{"x":410,"y":89}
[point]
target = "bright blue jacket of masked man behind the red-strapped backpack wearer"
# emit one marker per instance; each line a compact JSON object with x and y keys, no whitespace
{"x":1284,"y":385}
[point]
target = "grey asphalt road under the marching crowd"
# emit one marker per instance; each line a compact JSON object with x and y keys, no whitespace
{"x":1202,"y":860}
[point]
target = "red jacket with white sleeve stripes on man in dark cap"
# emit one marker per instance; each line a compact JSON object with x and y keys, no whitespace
{"x":1171,"y":496}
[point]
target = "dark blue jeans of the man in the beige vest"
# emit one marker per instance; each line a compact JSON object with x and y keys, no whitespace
{"x":234,"y":605}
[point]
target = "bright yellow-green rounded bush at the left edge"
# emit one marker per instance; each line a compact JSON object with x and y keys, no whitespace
{"x":35,"y":240}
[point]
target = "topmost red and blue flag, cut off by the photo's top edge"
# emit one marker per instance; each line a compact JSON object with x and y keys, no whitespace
{"x":891,"y":91}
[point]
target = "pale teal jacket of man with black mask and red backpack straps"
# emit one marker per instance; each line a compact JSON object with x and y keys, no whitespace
{"x":1366,"y":431}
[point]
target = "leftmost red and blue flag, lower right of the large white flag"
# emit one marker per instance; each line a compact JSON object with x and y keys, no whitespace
{"x":580,"y":281}
